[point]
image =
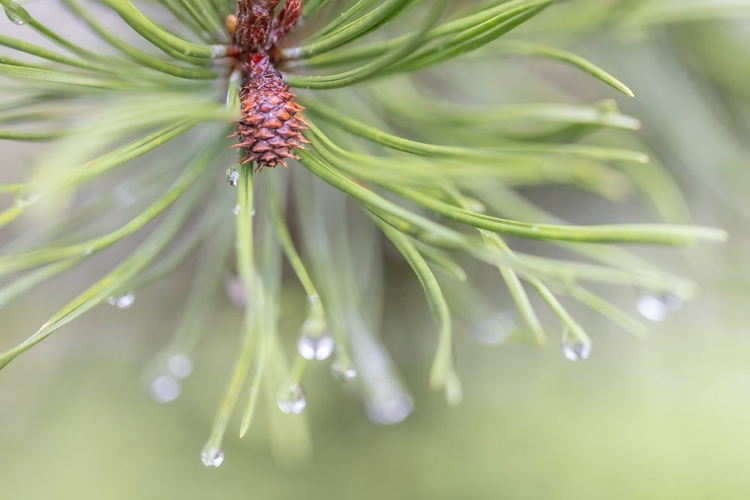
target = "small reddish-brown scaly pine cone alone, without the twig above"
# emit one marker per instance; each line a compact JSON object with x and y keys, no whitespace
{"x":271,"y":124}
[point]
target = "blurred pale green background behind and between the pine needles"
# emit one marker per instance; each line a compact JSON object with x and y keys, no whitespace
{"x":665,"y":418}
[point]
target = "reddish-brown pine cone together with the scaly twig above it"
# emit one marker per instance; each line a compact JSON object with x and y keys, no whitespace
{"x":271,"y":125}
